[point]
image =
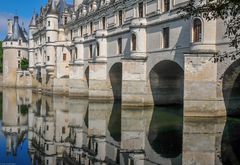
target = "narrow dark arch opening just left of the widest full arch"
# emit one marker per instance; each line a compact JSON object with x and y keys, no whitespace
{"x":115,"y":75}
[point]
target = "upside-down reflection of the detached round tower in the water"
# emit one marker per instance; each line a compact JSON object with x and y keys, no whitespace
{"x":15,"y":117}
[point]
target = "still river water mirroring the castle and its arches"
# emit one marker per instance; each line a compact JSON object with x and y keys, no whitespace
{"x":36,"y":129}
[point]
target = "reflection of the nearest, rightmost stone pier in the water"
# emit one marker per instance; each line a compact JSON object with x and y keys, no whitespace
{"x":202,"y":140}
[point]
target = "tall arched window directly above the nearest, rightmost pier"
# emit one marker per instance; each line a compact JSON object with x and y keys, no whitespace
{"x":197,"y":30}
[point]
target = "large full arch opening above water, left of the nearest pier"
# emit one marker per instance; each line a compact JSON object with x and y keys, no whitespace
{"x":166,"y":80}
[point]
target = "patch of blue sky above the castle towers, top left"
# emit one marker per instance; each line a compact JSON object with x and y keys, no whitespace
{"x":23,"y":8}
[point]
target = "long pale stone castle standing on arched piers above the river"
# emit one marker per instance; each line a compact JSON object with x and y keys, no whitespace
{"x":140,"y":51}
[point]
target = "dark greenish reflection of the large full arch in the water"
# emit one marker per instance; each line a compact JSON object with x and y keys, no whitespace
{"x":166,"y":130}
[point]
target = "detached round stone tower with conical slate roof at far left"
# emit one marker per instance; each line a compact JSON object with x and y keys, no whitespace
{"x":15,"y":48}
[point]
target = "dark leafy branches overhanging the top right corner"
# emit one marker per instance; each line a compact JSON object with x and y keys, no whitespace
{"x":227,"y":10}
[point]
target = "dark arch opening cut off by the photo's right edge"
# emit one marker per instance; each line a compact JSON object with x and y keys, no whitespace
{"x":231,"y":89}
